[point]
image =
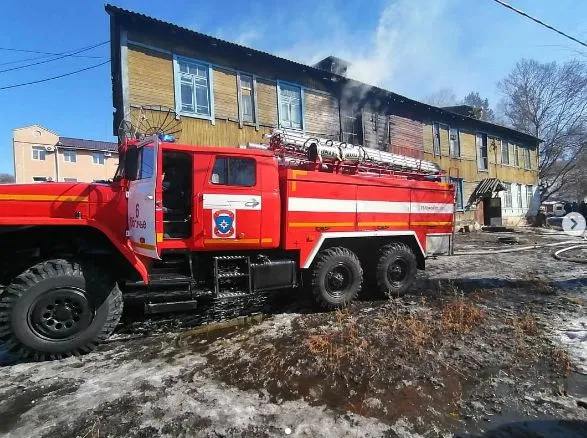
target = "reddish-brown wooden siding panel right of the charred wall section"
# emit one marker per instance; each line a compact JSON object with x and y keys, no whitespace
{"x":406,"y":136}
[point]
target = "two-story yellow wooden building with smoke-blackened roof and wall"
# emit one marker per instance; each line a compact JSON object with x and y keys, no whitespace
{"x":227,"y":94}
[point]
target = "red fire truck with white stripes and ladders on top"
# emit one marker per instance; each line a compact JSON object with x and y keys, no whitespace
{"x":181,"y":223}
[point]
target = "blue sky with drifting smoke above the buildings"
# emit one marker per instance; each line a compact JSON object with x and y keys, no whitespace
{"x":413,"y":47}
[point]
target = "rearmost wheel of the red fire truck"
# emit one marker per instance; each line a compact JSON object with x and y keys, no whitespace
{"x":396,"y":269}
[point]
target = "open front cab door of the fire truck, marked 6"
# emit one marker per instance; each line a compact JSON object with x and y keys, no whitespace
{"x":141,"y":198}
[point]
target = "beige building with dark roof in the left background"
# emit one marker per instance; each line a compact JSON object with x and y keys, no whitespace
{"x":42,"y":155}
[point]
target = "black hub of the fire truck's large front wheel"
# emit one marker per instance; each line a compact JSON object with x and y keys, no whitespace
{"x":61,"y":313}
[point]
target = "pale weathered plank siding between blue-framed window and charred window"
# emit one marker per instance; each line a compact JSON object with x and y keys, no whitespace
{"x":321,"y":114}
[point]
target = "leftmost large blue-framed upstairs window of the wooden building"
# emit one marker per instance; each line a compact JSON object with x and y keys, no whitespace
{"x":192,"y":86}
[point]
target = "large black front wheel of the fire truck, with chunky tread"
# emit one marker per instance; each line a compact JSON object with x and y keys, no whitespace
{"x":57,"y":309}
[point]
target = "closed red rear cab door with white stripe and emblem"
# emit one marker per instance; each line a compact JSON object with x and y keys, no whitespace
{"x":232,"y":203}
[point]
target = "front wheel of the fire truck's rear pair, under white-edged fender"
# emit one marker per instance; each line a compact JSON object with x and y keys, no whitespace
{"x":336,"y":278}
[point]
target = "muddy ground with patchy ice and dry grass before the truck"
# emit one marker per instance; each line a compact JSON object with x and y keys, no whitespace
{"x":485,"y":345}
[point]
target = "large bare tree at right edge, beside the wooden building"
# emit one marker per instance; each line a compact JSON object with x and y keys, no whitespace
{"x":549,"y":101}
